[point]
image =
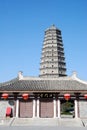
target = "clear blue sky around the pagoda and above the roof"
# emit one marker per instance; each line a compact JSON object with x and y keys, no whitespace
{"x":22,"y":26}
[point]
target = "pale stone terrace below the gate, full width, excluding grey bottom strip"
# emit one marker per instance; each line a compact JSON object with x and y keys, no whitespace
{"x":68,"y":122}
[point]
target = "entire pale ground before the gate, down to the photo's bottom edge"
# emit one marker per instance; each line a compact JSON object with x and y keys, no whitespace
{"x":42,"y":124}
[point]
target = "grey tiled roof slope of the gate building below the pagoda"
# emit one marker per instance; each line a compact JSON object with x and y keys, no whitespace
{"x":41,"y":84}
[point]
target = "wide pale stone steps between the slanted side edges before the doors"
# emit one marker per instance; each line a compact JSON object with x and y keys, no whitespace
{"x":47,"y":122}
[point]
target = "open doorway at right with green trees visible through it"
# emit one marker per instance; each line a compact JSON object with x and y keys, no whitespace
{"x":67,"y":109}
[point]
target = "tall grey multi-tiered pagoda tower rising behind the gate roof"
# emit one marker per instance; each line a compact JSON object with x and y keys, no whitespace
{"x":53,"y":59}
